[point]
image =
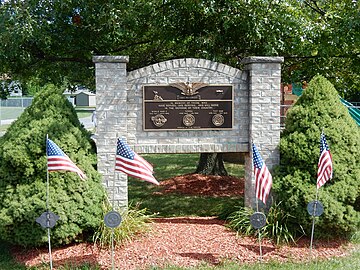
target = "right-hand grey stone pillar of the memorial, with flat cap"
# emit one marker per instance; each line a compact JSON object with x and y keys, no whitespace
{"x":264,"y":78}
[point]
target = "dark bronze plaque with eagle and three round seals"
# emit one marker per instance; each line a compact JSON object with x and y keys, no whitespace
{"x":188,"y":106}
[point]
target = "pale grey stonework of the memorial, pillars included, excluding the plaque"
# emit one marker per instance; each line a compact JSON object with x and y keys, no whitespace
{"x":120,"y":113}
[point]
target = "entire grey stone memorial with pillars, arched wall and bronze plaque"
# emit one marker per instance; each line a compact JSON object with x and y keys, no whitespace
{"x":187,"y":106}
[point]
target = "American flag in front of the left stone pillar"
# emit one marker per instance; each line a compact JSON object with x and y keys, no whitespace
{"x":132,"y":164}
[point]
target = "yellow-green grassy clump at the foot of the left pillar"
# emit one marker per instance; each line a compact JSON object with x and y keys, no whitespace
{"x":135,"y":221}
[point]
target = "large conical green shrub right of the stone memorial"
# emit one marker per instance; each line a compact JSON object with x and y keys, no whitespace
{"x":319,"y":108}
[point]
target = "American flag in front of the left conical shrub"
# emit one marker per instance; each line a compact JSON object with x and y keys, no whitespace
{"x":59,"y":161}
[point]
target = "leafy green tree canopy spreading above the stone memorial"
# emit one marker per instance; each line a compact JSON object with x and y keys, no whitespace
{"x":62,"y":36}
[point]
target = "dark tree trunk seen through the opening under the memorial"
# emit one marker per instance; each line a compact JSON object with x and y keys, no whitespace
{"x":211,"y":164}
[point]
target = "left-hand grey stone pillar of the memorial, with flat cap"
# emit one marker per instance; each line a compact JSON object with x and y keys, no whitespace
{"x":111,"y":111}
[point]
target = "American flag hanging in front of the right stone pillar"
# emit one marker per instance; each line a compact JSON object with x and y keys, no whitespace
{"x":263,"y":178}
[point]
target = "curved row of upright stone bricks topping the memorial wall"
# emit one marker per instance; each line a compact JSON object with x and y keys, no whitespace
{"x":184,"y":63}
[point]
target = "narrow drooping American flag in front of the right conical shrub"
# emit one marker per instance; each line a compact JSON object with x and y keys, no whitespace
{"x":325,"y":168}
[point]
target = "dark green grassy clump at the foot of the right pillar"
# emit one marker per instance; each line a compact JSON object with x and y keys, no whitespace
{"x":275,"y":228}
